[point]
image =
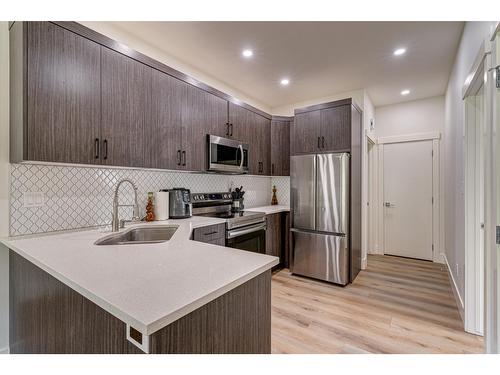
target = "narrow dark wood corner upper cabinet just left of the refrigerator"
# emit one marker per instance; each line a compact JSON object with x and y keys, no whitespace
{"x":280,"y":147}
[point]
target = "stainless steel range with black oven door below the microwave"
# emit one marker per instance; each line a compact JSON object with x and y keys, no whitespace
{"x":245,"y":230}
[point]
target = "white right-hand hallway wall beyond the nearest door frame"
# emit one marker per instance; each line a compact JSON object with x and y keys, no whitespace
{"x":473,"y":35}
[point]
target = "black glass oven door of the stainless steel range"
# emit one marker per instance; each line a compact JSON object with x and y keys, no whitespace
{"x":250,"y":238}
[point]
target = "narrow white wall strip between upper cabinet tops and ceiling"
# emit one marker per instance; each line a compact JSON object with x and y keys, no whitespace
{"x":110,"y":30}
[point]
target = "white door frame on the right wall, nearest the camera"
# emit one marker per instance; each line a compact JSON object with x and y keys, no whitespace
{"x":474,"y":197}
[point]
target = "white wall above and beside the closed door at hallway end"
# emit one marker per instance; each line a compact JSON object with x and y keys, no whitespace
{"x":414,"y":117}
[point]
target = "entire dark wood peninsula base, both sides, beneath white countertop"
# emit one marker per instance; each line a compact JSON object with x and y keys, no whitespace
{"x":46,"y":316}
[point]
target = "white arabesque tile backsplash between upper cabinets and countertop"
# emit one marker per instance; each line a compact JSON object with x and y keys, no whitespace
{"x":78,"y":197}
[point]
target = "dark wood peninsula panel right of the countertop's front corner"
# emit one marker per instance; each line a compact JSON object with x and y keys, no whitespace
{"x":236,"y":322}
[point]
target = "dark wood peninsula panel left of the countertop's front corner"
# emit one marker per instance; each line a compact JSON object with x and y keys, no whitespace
{"x":46,"y":316}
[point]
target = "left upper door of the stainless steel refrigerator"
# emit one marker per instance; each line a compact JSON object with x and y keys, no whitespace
{"x":302,"y":184}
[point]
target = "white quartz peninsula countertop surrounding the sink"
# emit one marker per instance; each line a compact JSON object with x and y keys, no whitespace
{"x":145,"y":285}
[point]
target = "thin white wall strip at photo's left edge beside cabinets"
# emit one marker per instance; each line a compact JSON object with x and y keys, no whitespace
{"x":4,"y":185}
